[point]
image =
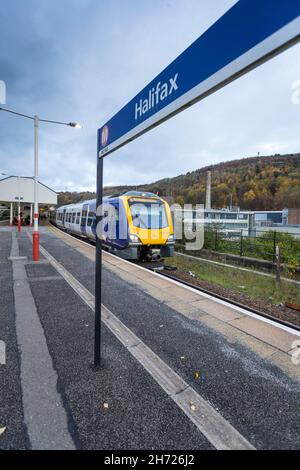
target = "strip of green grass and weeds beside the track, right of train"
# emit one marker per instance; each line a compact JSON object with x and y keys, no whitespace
{"x":253,"y":285}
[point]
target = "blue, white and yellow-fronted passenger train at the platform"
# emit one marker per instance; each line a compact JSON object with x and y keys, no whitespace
{"x":136,"y":225}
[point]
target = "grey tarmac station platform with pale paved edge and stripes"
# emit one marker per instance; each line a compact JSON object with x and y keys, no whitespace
{"x":180,"y":369}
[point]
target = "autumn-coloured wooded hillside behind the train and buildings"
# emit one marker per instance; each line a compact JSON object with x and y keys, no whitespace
{"x":256,"y":183}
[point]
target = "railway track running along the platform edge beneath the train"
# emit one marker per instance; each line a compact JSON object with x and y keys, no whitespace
{"x":160,"y":268}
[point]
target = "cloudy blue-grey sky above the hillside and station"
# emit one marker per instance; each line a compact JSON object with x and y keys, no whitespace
{"x":82,"y":60}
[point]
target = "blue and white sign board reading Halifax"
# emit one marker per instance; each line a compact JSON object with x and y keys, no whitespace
{"x":250,"y":33}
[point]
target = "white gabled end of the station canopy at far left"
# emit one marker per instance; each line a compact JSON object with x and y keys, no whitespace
{"x":13,"y":187}
